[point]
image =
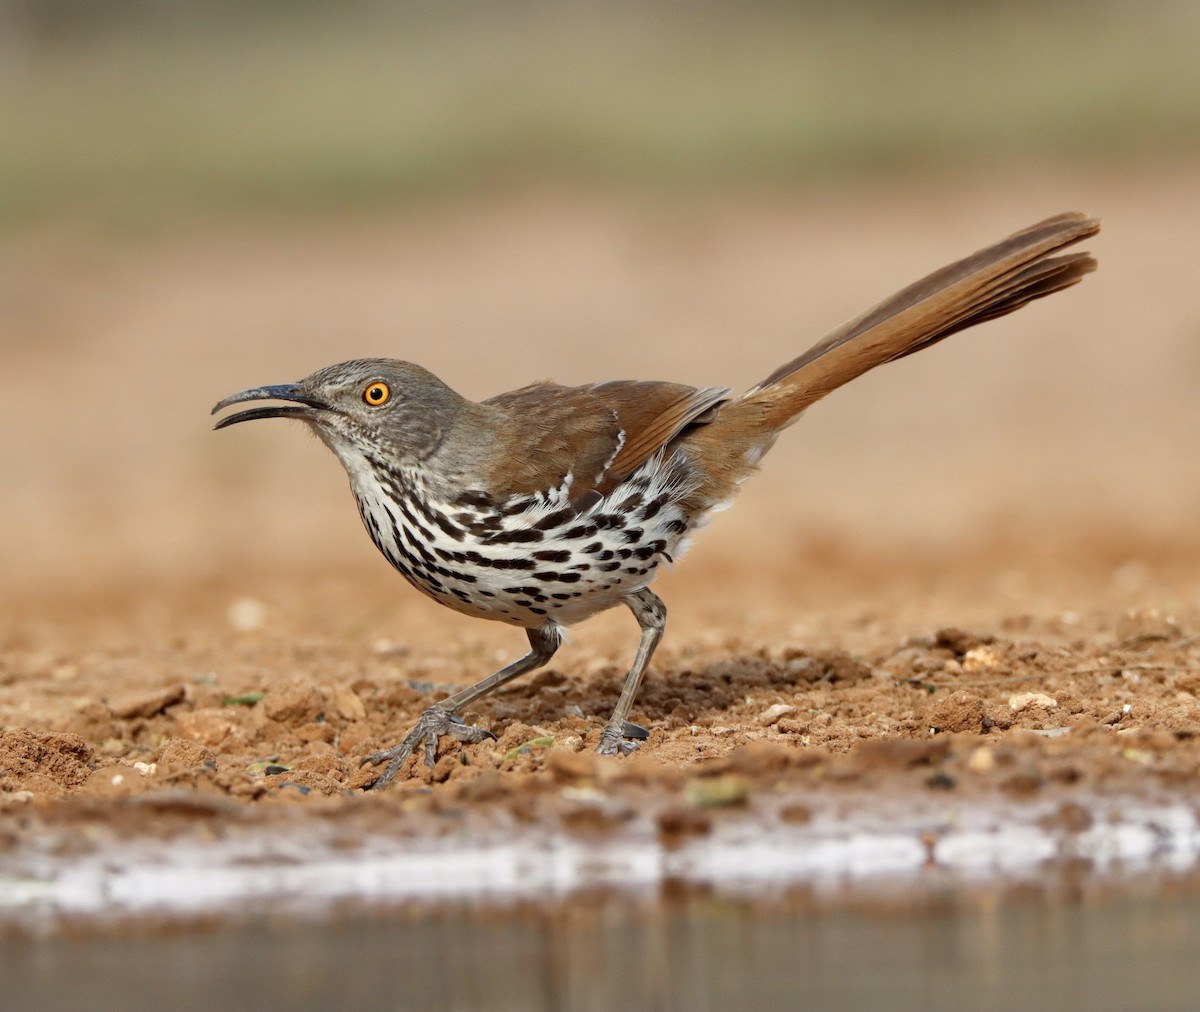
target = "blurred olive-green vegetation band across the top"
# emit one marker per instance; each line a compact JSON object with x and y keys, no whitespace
{"x":142,"y":106}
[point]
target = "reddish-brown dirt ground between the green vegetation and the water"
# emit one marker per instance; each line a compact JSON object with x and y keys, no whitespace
{"x":974,"y":574}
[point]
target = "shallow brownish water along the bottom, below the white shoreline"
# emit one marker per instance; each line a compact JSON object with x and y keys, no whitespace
{"x":605,"y":953}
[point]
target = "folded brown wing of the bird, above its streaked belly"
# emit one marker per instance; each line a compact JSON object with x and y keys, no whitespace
{"x":599,"y":434}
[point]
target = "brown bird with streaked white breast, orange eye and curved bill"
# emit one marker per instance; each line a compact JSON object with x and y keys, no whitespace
{"x":548,"y":505}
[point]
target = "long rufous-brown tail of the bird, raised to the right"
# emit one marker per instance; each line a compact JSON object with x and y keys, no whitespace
{"x":993,"y":283}
